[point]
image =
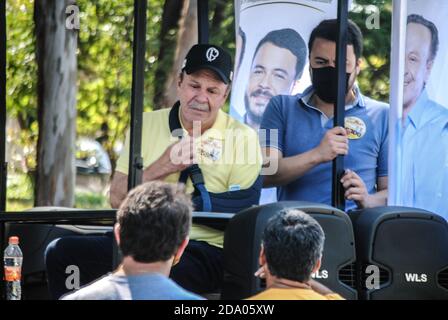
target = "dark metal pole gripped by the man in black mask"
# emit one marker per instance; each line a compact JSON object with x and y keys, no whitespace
{"x":338,"y":199}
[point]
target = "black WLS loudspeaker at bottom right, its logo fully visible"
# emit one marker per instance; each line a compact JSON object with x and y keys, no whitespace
{"x":409,"y":248}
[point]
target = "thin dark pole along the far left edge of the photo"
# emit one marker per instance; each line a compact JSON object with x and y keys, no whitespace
{"x":3,"y":164}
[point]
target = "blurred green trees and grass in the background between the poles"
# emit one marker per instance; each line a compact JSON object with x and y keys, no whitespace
{"x":105,"y":69}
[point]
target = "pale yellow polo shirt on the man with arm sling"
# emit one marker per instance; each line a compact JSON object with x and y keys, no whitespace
{"x":228,"y":154}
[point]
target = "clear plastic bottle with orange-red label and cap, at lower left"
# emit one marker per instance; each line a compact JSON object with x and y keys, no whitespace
{"x":13,"y":259}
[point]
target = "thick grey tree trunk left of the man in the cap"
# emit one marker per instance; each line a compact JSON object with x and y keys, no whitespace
{"x":57,"y":65}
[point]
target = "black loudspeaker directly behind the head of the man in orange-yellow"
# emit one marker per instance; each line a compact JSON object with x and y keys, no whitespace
{"x":242,"y":246}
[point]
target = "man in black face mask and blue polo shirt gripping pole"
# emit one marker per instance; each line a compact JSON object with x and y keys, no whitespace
{"x":308,"y":142}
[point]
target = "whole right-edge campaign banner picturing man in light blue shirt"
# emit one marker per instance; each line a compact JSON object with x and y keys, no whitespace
{"x":419,"y":108}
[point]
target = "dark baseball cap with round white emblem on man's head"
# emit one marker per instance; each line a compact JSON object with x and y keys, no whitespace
{"x":207,"y":56}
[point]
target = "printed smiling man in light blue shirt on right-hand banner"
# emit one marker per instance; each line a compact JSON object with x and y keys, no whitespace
{"x":424,"y":168}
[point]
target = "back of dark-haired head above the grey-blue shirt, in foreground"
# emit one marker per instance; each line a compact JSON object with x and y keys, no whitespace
{"x":153,"y":221}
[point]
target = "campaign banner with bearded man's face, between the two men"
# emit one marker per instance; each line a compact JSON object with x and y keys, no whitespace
{"x":272,"y":55}
